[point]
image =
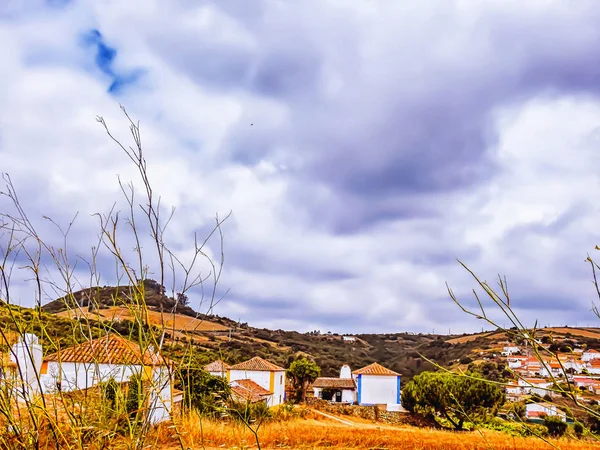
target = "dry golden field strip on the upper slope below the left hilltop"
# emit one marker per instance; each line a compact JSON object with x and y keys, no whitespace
{"x":177,"y":321}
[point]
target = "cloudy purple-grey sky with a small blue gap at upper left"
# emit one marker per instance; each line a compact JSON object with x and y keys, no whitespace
{"x":362,"y":147}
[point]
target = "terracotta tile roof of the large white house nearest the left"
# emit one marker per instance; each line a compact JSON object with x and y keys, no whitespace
{"x":109,"y":349}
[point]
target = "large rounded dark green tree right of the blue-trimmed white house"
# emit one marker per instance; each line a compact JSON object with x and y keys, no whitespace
{"x":455,"y":398}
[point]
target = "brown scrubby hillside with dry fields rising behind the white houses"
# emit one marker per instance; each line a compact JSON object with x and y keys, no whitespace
{"x":212,"y":336}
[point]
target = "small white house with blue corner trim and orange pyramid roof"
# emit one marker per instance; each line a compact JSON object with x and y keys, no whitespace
{"x":377,"y":385}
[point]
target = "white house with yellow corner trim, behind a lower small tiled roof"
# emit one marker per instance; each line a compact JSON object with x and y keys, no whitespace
{"x":263,"y":373}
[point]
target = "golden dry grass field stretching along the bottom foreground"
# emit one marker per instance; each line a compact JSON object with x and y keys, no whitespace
{"x":320,"y":434}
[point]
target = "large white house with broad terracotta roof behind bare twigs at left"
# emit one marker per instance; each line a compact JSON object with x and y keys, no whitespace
{"x":111,"y":356}
